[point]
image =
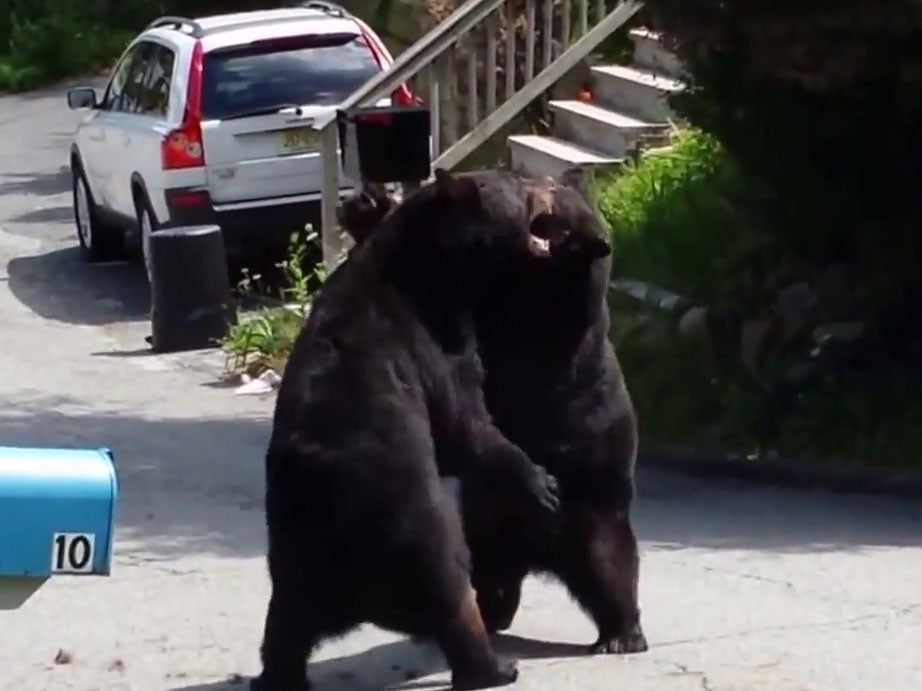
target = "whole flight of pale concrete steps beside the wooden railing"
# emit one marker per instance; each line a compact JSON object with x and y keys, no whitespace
{"x":627,"y":109}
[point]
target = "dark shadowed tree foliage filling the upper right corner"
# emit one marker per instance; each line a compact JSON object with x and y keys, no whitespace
{"x":822,"y":101}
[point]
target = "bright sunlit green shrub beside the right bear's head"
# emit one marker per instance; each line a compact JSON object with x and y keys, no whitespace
{"x":679,"y":217}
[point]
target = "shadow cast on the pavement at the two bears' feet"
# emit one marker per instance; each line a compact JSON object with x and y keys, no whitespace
{"x":402,"y":665}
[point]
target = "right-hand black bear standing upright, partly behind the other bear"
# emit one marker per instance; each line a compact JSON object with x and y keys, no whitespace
{"x":555,"y":387}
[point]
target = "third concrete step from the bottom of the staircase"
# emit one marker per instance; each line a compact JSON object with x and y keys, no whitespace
{"x":633,"y":90}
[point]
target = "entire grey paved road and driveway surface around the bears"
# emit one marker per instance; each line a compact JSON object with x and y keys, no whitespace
{"x":743,"y":589}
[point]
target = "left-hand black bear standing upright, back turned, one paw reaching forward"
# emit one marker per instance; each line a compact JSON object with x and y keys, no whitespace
{"x":383,"y":394}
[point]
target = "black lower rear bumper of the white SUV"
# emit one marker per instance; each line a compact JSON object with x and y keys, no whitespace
{"x":248,"y":224}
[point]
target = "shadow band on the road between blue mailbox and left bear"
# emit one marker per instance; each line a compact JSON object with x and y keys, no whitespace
{"x":187,"y":485}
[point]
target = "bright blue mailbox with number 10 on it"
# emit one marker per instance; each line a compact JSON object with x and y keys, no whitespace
{"x":57,"y":516}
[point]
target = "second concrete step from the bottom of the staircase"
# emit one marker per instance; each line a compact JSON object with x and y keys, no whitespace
{"x":599,"y":128}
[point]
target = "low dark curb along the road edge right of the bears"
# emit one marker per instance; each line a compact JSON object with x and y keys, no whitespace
{"x":803,"y":475}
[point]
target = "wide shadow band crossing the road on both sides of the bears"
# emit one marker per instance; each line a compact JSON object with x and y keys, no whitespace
{"x":195,"y":485}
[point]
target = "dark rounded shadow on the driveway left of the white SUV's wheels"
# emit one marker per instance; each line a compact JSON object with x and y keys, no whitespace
{"x":59,"y":285}
